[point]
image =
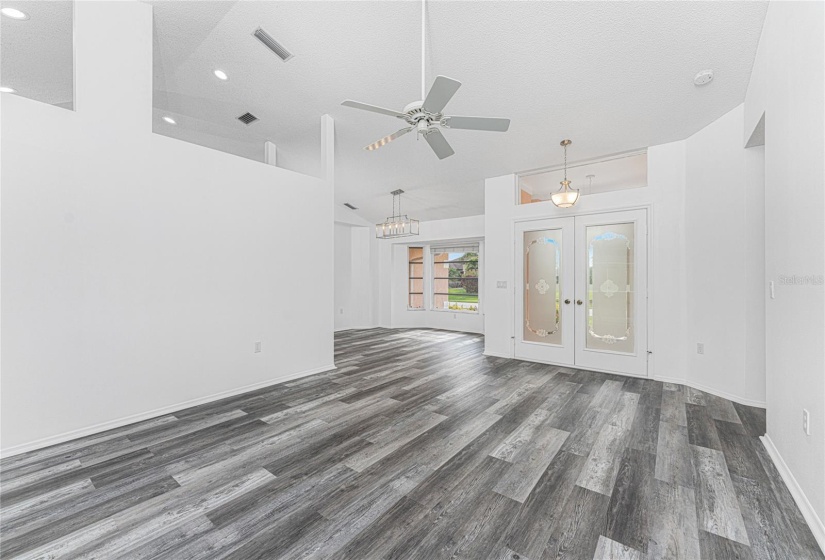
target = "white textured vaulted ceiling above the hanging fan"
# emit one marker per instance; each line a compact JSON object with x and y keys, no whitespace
{"x":613,"y":76}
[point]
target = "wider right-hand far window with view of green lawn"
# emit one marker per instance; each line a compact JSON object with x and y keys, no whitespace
{"x":455,"y":278}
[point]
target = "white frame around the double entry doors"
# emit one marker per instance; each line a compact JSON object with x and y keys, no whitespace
{"x":648,"y":208}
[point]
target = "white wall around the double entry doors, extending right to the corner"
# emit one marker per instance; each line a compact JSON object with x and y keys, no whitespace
{"x":702,"y":263}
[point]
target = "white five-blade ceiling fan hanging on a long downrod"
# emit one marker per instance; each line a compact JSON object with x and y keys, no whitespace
{"x":426,"y":117}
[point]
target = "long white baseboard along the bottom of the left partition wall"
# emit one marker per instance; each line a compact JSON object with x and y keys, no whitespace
{"x":126,"y":420}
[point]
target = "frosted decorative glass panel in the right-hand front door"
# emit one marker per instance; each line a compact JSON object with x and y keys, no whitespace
{"x":610,"y":287}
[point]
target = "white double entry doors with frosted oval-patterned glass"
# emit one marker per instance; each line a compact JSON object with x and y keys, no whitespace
{"x":581,"y":291}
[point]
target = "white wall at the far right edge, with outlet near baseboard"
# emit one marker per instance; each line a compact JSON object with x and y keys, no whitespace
{"x":788,"y":87}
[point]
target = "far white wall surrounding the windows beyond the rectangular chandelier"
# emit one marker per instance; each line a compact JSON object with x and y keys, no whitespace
{"x":393,"y":276}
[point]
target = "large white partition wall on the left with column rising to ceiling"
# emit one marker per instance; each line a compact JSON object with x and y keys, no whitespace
{"x":138,"y":270}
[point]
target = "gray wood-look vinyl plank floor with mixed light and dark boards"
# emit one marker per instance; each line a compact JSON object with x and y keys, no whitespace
{"x":418,"y":447}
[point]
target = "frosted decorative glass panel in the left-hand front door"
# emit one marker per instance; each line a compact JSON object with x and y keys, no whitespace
{"x":542,"y":287}
